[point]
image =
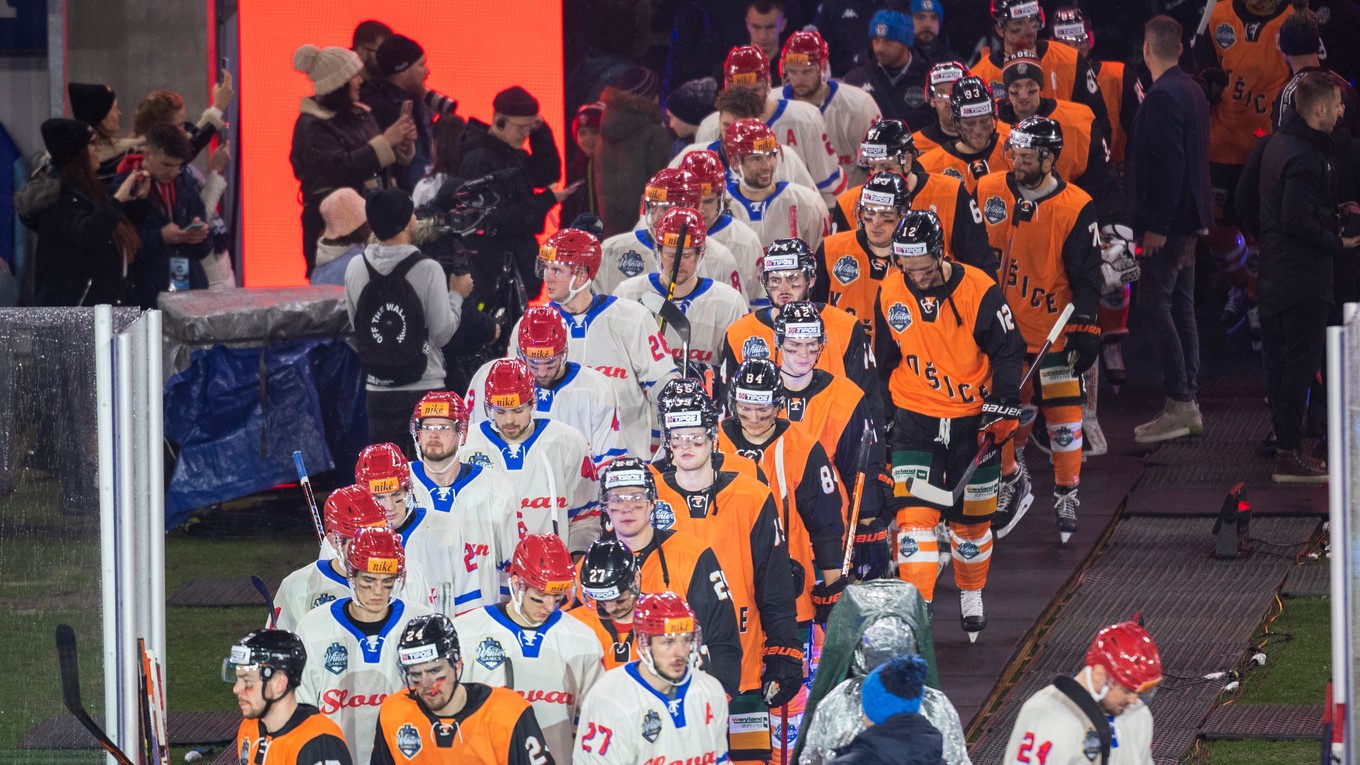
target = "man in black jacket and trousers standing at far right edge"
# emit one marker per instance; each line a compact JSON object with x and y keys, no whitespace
{"x":1299,"y":242}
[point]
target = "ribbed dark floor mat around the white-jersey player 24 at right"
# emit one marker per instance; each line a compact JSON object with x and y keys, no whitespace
{"x":1202,"y":612}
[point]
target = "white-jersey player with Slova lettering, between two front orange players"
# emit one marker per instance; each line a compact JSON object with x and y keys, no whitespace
{"x":353,"y":643}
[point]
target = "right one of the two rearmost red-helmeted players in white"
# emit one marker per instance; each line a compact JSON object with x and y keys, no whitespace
{"x":806,"y":67}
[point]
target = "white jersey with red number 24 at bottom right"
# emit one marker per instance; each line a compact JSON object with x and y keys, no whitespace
{"x":1052,"y":729}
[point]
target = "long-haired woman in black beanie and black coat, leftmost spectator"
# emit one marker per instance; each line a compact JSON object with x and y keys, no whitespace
{"x":86,"y":238}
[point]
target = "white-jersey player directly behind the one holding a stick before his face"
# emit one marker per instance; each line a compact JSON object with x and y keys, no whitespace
{"x":625,"y":257}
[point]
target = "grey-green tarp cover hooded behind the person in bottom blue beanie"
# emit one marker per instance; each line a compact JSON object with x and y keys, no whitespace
{"x":860,"y":606}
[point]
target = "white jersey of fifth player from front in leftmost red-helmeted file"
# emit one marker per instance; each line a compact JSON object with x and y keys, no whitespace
{"x":554,"y":478}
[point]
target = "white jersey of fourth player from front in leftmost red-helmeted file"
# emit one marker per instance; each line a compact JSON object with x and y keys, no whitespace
{"x":485,"y":506}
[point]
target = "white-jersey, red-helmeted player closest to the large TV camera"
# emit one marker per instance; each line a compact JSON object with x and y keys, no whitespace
{"x":619,"y":340}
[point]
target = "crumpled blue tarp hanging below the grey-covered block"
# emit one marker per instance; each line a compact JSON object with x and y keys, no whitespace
{"x":235,"y":442}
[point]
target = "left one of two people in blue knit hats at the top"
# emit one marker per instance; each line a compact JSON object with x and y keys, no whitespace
{"x":894,"y":77}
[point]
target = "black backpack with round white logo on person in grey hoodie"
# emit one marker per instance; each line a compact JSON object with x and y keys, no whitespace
{"x":390,"y":327}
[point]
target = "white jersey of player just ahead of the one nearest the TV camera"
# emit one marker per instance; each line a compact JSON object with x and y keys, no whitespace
{"x":583,"y":400}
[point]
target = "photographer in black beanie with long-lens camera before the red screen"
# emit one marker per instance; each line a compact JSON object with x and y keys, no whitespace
{"x":399,"y":92}
